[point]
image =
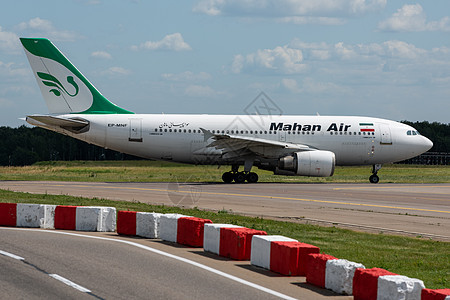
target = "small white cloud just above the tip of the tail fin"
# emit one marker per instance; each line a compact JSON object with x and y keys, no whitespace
{"x":45,"y":28}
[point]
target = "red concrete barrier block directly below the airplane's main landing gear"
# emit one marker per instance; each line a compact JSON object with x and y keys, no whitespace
{"x":236,"y":243}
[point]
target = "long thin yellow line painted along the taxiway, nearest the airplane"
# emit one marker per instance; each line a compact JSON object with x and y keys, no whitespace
{"x":270,"y":197}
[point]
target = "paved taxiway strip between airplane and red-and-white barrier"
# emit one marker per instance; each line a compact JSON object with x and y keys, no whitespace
{"x":410,"y":209}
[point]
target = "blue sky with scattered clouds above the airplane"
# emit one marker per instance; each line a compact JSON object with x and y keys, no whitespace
{"x":378,"y":58}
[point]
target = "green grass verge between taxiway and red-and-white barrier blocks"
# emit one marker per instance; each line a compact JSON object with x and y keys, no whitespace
{"x":418,"y":258}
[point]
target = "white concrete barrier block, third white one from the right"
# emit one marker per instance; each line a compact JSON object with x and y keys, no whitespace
{"x":261,"y":249}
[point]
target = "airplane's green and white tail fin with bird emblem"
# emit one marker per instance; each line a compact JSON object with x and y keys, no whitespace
{"x":63,"y":87}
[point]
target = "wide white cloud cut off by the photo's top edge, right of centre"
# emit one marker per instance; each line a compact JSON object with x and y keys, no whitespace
{"x":295,"y":11}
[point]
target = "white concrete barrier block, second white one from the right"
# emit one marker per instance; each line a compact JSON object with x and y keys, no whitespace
{"x":339,"y":275}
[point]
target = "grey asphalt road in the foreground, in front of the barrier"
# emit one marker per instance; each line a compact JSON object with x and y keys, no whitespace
{"x":111,"y":269}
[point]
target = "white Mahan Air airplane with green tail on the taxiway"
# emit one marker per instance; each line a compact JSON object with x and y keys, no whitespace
{"x":286,"y":145}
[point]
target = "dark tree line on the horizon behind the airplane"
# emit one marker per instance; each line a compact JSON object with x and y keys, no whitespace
{"x":24,"y":146}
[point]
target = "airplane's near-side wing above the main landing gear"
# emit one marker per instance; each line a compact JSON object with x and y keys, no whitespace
{"x":238,"y":146}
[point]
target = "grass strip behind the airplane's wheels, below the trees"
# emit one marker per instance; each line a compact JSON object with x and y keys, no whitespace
{"x":155,"y":171}
